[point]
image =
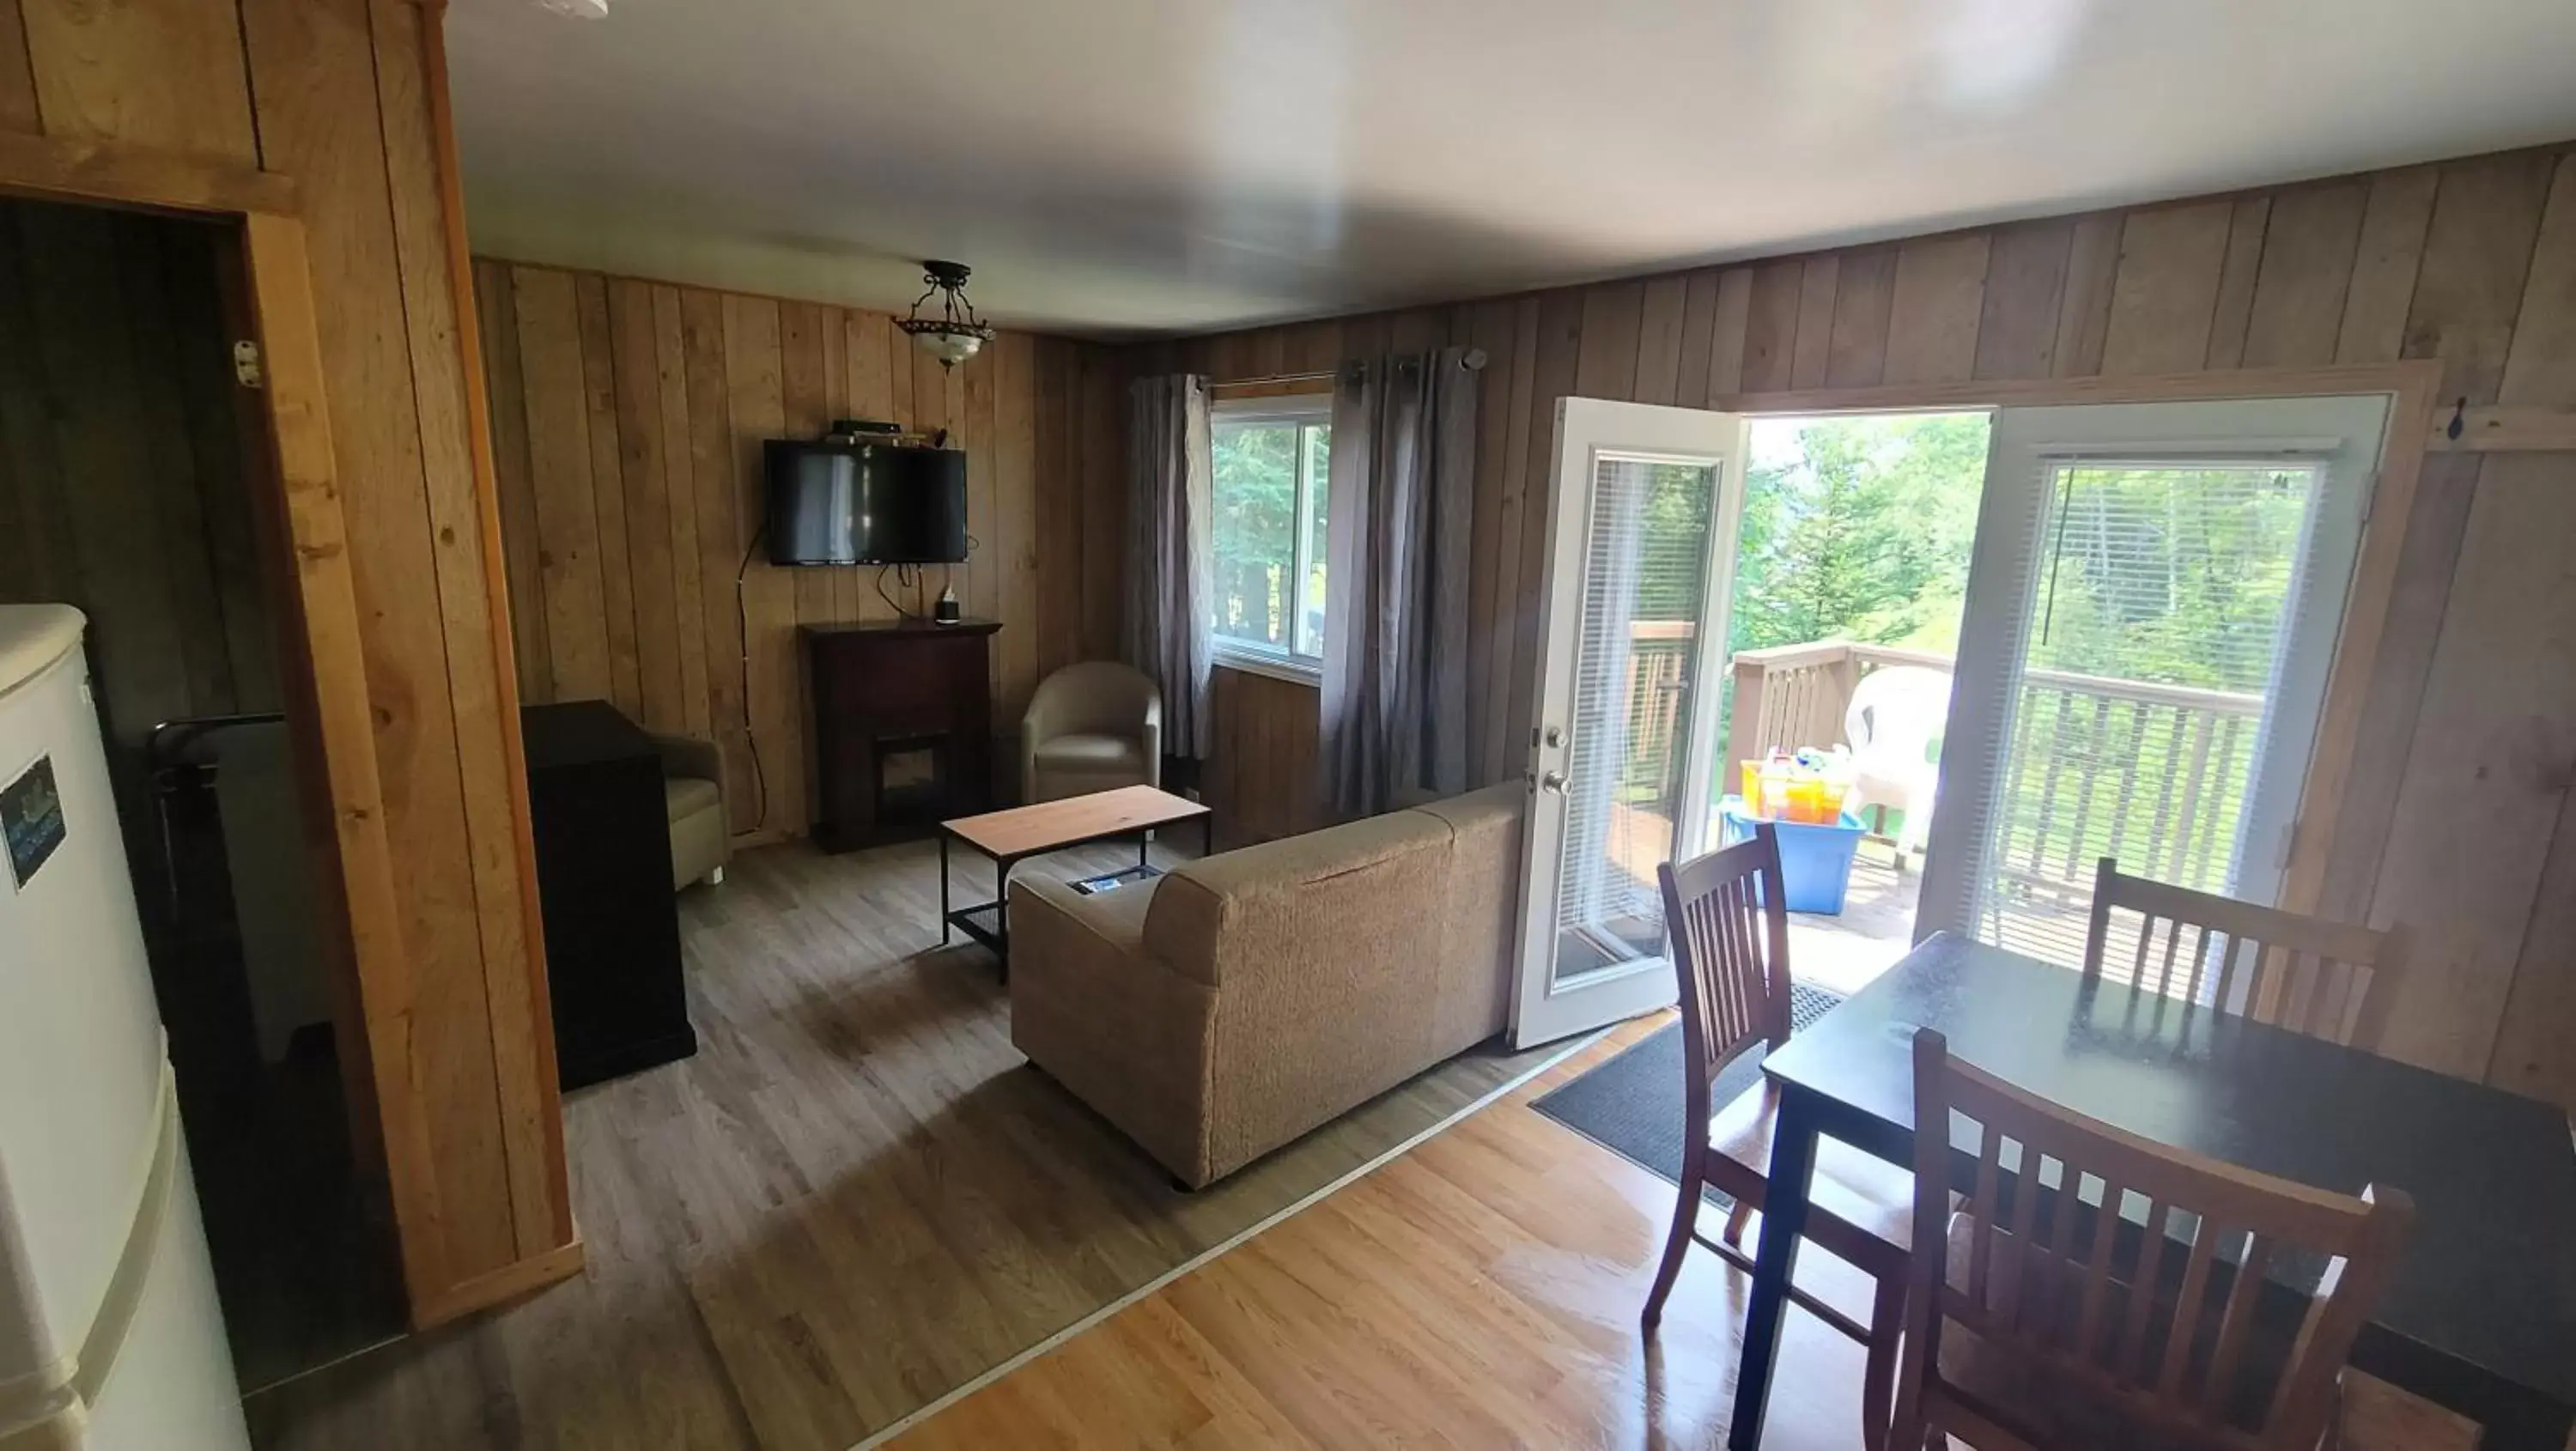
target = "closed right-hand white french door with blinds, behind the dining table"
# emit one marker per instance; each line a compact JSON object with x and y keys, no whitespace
{"x":2152,"y":615}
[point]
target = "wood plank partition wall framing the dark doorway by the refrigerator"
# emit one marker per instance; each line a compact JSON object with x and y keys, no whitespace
{"x":339,"y":97}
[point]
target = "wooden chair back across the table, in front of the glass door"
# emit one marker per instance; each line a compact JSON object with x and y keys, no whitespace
{"x":2330,"y":981}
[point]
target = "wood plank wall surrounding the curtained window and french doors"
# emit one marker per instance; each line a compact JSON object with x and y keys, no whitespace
{"x":2461,"y":818}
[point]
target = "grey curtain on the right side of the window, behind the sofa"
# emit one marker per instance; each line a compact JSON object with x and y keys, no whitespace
{"x":1397,"y":558}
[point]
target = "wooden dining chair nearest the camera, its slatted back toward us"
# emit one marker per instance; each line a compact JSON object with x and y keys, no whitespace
{"x":2072,"y":1329}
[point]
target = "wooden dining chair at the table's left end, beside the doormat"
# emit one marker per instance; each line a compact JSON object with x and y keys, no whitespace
{"x":1727,"y":921}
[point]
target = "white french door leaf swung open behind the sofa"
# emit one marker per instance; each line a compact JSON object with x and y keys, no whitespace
{"x":1619,"y":764}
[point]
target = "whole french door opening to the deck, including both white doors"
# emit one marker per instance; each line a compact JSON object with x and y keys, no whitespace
{"x":2023,"y":640}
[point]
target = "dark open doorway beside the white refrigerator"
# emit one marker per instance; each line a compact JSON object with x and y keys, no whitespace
{"x":138,"y":486}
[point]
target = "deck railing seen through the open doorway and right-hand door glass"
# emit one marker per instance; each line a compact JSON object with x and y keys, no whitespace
{"x":2150,"y":774}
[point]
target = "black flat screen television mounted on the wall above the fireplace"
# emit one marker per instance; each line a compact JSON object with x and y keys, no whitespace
{"x":864,"y":504}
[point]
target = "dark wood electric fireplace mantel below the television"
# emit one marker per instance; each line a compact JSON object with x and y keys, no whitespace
{"x":903,"y":728}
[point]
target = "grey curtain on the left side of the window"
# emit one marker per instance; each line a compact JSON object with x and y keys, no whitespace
{"x":1168,"y":553}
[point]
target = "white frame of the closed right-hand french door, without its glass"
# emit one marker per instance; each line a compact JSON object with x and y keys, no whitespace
{"x":2338,"y":434}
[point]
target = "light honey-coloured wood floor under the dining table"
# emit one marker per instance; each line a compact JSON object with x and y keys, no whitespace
{"x":1482,"y":1290}
